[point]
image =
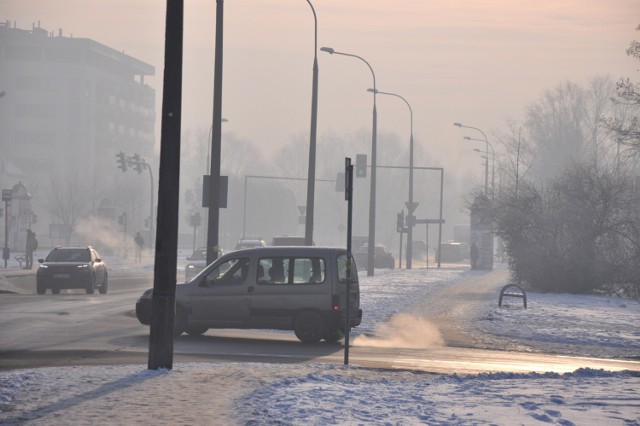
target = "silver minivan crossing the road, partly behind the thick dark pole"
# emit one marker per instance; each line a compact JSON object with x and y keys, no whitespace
{"x":302,"y":289}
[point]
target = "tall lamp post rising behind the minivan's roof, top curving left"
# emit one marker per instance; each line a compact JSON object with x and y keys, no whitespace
{"x":311,"y":179}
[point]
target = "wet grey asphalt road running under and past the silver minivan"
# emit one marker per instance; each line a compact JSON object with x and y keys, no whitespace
{"x":74,"y":328}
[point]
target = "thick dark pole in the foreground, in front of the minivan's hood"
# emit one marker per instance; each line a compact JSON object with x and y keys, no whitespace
{"x":164,"y":279}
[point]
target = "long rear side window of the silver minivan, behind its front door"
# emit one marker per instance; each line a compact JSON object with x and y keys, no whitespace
{"x":295,"y":270}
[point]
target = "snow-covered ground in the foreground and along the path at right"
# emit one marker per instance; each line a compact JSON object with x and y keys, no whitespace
{"x":295,"y":394}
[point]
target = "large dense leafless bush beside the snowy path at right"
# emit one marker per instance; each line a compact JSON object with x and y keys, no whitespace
{"x":580,"y":234}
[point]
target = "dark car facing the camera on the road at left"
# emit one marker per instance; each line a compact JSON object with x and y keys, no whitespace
{"x":72,"y":267}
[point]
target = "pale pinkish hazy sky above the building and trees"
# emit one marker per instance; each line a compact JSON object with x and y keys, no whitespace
{"x":475,"y":61}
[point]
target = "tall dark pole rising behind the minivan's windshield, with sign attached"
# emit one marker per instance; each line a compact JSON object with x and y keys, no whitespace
{"x":216,"y":142}
